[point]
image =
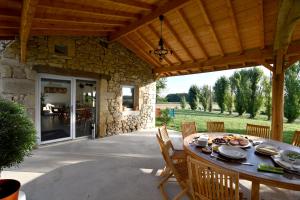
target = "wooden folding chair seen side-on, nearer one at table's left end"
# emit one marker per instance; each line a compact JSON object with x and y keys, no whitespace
{"x":177,"y":169}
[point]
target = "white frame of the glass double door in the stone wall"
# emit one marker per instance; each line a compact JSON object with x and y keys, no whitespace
{"x":72,"y":105}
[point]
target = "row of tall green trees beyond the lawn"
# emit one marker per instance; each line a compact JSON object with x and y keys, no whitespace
{"x":246,"y":91}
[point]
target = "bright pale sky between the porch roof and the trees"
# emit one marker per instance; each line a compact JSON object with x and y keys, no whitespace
{"x":181,"y":84}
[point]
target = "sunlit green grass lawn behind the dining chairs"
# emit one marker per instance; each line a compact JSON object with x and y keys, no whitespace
{"x":233,"y":123}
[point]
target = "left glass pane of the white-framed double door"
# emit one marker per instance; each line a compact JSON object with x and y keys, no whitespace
{"x":55,"y":109}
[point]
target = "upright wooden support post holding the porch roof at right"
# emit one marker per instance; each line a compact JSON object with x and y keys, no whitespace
{"x":277,"y":101}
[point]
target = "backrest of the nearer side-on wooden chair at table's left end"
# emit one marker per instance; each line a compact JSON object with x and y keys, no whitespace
{"x":167,"y":151}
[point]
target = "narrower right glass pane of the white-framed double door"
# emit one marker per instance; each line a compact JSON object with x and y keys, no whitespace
{"x":85,"y":107}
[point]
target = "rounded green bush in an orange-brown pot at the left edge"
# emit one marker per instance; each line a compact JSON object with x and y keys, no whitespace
{"x":17,"y":139}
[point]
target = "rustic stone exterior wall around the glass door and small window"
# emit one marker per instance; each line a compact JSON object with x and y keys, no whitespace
{"x":90,"y":54}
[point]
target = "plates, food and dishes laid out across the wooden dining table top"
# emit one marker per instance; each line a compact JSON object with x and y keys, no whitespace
{"x":234,"y":148}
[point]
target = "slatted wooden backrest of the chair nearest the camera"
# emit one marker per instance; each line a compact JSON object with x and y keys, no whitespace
{"x":212,"y":182}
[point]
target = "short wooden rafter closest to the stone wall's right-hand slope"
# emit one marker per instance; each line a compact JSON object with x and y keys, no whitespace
{"x":136,"y":49}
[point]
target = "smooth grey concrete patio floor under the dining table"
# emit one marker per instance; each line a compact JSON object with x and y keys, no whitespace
{"x":118,"y":167}
